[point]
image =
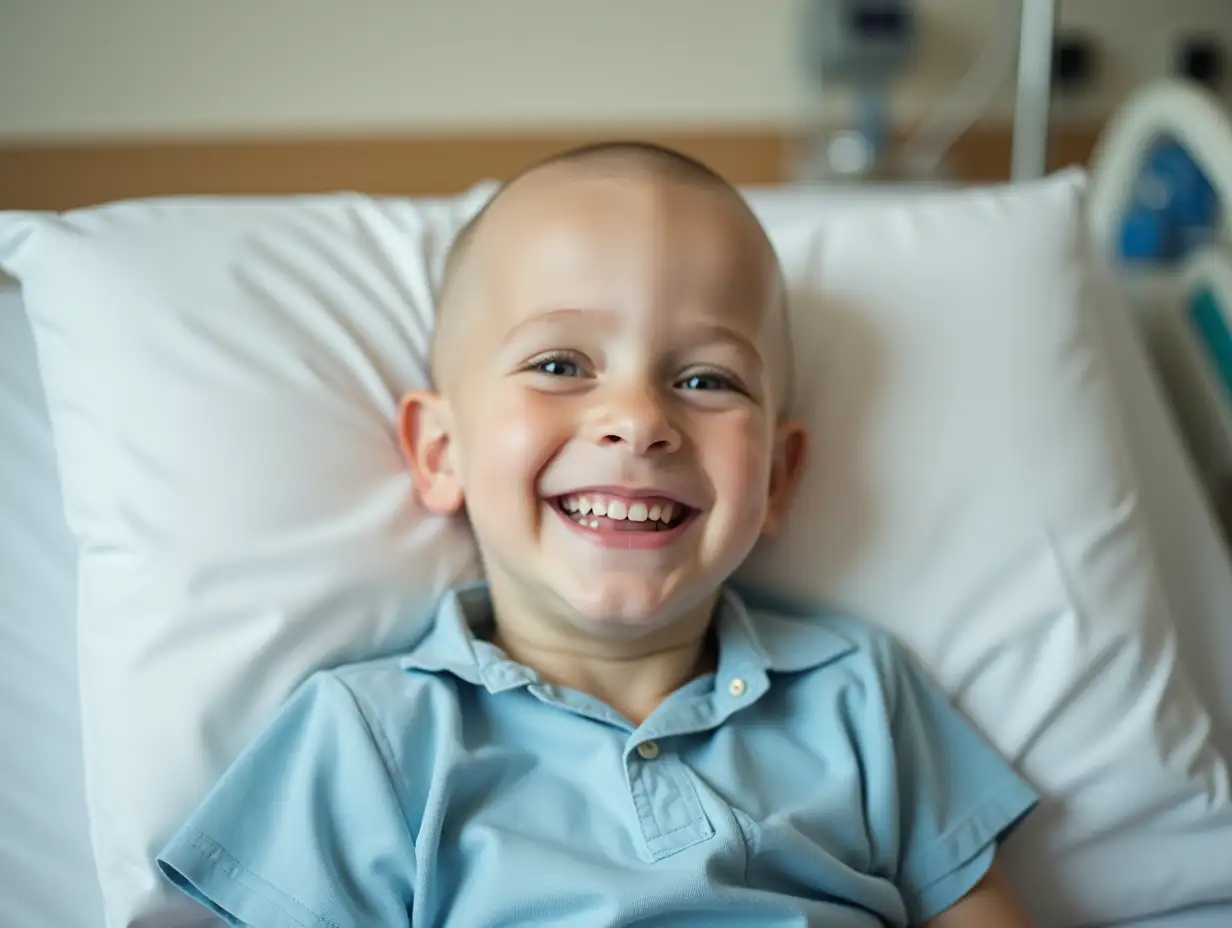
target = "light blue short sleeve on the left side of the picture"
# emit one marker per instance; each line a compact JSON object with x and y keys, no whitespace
{"x":306,"y":829}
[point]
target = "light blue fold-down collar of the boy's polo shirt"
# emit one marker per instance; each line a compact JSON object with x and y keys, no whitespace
{"x":757,"y":634}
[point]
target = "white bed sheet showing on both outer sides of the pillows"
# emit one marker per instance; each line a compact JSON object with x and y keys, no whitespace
{"x":46,"y":868}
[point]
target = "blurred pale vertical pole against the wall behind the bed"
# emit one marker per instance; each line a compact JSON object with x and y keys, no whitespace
{"x":1037,"y":33}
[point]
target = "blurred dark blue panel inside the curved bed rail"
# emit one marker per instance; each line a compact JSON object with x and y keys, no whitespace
{"x":1173,"y":210}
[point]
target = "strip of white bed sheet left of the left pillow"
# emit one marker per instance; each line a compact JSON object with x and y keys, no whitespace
{"x":47,"y":876}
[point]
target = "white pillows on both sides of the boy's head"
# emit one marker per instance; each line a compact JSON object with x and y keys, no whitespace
{"x":222,"y":378}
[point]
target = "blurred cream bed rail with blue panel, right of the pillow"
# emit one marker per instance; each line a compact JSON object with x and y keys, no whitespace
{"x":1161,"y":189}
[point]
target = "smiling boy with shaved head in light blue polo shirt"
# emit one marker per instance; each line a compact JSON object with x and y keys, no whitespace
{"x":604,"y":733}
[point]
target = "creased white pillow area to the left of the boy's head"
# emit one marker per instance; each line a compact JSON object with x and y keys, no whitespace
{"x":222,"y":378}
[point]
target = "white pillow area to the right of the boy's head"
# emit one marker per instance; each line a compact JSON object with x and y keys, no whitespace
{"x":975,"y":496}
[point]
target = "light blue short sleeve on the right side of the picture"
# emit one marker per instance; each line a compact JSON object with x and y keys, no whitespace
{"x":958,"y":797}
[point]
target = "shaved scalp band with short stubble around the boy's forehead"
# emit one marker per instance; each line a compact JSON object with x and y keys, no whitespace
{"x":634,"y":162}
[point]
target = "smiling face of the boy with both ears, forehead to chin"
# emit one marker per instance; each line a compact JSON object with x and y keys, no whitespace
{"x":609,"y":406}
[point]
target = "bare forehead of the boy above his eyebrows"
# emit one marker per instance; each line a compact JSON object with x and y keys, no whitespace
{"x":634,"y":245}
